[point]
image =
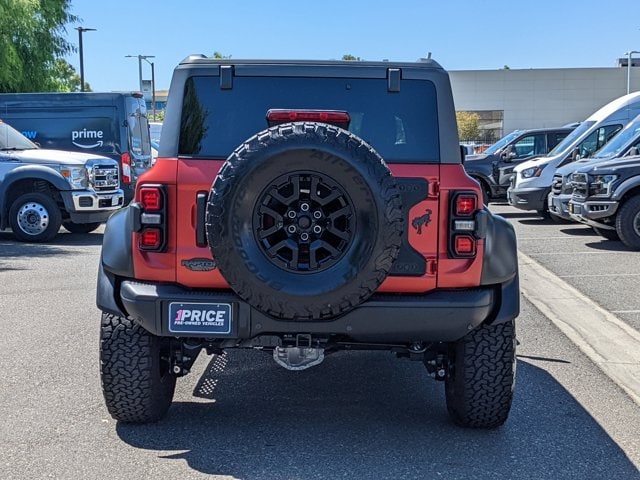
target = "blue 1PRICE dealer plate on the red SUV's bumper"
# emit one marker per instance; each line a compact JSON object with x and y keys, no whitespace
{"x":207,"y":318}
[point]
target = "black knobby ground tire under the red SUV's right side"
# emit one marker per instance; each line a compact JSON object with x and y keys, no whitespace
{"x":479,"y":387}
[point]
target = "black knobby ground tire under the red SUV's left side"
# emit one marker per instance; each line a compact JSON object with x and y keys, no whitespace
{"x":137,"y":383}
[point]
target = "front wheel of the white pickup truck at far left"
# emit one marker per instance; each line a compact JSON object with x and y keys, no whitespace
{"x":35,"y":217}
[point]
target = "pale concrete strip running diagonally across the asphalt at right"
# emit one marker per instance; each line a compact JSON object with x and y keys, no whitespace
{"x":609,"y":342}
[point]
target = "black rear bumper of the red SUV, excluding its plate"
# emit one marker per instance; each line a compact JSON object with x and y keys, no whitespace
{"x":441,"y":316}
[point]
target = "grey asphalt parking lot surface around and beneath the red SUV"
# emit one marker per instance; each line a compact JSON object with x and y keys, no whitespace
{"x":358,"y":415}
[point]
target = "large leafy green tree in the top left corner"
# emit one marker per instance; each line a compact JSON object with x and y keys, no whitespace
{"x":31,"y":40}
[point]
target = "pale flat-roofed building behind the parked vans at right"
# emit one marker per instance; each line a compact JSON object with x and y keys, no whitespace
{"x":510,"y":99}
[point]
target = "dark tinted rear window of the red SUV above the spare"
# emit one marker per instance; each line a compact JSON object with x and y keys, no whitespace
{"x":401,"y":126}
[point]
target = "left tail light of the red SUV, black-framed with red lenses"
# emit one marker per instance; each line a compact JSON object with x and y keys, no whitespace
{"x":151,"y":217}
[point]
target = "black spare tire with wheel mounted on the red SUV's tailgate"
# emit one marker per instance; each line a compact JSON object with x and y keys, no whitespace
{"x":304,"y":221}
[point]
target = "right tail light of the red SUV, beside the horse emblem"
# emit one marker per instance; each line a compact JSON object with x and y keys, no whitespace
{"x":463,"y":227}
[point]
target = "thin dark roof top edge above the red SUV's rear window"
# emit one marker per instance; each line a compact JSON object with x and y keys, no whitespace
{"x":198,"y":59}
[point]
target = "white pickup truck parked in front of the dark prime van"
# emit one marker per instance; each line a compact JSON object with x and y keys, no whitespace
{"x":40,"y":190}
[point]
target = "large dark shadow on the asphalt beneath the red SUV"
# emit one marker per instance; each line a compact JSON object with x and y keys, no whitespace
{"x":368,"y":415}
